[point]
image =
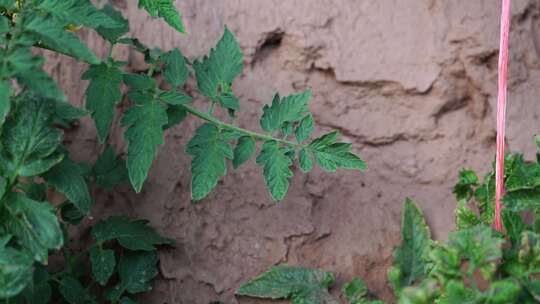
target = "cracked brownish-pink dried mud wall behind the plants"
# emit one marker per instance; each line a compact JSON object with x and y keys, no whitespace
{"x":411,"y":83}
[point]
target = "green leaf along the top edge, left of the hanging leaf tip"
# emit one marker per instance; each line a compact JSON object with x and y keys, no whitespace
{"x":78,"y":12}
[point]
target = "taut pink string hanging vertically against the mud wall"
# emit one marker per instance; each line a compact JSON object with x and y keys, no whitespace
{"x":501,"y":111}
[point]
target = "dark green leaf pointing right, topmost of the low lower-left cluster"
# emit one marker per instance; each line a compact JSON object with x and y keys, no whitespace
{"x":131,"y":234}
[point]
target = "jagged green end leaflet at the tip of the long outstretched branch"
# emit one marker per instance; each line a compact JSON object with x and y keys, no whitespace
{"x":331,"y":155}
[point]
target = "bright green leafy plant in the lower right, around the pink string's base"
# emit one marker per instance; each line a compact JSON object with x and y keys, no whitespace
{"x":476,"y":265}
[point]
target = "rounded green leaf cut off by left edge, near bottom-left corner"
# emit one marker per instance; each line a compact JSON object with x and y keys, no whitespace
{"x":15,"y":271}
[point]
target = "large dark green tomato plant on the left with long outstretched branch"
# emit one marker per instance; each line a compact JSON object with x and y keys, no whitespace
{"x":34,"y":111}
